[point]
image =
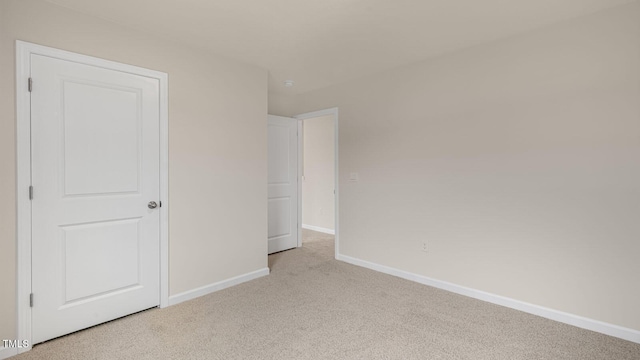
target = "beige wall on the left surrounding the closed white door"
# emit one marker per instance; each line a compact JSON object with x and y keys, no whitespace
{"x":217,"y":142}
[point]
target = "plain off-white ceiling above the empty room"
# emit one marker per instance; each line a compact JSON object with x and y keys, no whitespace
{"x":318,"y":43}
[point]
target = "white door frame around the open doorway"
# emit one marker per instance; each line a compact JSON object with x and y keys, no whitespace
{"x":300,"y":118}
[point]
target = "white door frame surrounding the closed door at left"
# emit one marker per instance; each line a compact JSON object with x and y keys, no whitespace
{"x":24,"y":51}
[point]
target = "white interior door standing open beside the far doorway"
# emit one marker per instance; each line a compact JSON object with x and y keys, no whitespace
{"x":283,"y":183}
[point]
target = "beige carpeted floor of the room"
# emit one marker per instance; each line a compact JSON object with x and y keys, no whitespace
{"x":314,"y":307}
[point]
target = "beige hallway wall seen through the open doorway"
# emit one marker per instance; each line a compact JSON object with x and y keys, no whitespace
{"x":318,"y":202}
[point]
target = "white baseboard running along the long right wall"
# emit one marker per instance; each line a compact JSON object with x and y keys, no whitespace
{"x":563,"y":317}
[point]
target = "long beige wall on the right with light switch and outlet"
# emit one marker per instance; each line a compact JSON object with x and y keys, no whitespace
{"x":517,"y":161}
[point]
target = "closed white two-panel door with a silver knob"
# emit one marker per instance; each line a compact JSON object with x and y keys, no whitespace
{"x":95,"y":170}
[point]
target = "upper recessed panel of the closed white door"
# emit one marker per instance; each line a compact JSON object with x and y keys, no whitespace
{"x":101,"y":133}
